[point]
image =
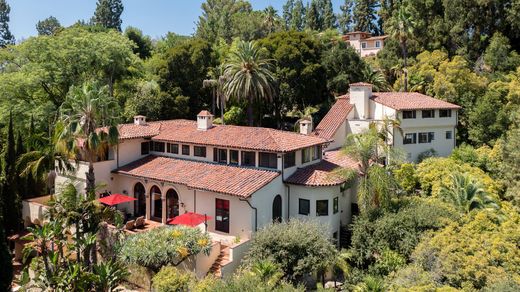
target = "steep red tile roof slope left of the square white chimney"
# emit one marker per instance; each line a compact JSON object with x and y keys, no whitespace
{"x":333,"y":119}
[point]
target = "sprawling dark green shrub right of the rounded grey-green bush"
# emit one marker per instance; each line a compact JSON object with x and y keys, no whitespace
{"x":399,"y":231}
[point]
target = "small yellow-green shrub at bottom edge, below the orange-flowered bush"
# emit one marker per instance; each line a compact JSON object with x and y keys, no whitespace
{"x":170,"y":279}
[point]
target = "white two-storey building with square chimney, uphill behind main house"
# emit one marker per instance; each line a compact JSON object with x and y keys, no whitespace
{"x":426,"y":123}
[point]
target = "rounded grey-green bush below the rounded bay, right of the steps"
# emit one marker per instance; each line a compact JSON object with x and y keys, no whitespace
{"x":298,"y":247}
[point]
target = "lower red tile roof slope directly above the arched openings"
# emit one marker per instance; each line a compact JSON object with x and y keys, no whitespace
{"x":224,"y":179}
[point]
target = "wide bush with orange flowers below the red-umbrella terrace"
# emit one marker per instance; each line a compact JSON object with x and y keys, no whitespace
{"x":164,"y":246}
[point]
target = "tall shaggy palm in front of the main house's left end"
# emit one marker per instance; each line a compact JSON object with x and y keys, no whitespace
{"x":88,"y":126}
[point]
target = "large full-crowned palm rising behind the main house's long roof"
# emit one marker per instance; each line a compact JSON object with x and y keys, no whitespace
{"x":249,"y":76}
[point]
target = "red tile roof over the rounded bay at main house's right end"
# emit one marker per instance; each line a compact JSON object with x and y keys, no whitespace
{"x":322,"y":173}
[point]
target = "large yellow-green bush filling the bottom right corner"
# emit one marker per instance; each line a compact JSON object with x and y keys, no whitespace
{"x":482,"y":249}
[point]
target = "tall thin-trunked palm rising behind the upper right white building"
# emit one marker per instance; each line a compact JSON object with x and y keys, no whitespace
{"x":401,"y":27}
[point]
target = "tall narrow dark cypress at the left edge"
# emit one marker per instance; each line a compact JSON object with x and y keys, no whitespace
{"x":11,"y":199}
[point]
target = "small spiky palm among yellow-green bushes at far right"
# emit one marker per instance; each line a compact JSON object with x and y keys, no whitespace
{"x":467,"y":194}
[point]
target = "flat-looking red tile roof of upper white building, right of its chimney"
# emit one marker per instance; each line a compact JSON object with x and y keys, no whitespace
{"x":410,"y":101}
